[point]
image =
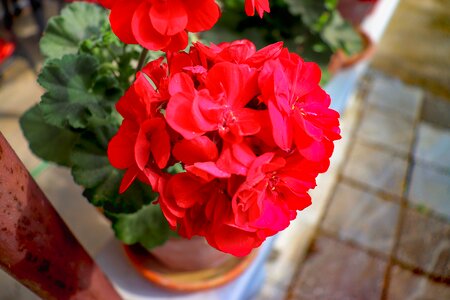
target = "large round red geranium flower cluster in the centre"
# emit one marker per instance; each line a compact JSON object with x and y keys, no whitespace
{"x":252,"y":130}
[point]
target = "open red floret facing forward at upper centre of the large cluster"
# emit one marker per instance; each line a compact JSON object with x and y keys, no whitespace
{"x":220,"y":106}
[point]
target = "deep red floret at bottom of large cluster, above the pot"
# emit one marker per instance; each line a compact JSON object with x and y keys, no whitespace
{"x":198,"y":207}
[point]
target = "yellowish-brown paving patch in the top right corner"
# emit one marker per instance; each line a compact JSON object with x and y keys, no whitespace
{"x":416,"y":44}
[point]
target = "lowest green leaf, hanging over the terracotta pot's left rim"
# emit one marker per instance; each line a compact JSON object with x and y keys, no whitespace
{"x":147,"y":226}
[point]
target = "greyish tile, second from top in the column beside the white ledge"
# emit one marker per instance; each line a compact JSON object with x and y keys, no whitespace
{"x":387,"y":129}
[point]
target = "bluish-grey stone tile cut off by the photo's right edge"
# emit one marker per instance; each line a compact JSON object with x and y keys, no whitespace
{"x":433,"y":145}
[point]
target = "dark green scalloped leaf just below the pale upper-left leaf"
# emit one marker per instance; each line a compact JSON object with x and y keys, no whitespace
{"x":72,"y":96}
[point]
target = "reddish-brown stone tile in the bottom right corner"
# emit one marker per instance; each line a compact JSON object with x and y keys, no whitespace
{"x":407,"y":285}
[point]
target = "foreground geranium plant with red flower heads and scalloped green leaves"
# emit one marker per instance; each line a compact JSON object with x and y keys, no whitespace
{"x":220,"y":142}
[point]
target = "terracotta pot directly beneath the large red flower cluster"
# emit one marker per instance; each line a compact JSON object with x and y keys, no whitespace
{"x":187,"y":265}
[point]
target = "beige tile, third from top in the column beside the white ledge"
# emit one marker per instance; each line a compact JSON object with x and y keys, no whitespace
{"x":376,"y":168}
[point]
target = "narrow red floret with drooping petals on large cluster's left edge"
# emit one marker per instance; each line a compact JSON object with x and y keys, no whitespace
{"x":142,"y":144}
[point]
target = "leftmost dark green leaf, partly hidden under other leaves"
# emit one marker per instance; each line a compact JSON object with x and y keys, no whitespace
{"x":49,"y":142}
